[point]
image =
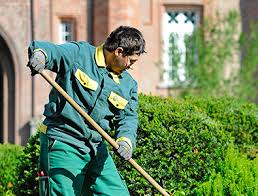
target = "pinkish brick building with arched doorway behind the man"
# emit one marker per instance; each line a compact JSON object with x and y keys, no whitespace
{"x":22,"y":97}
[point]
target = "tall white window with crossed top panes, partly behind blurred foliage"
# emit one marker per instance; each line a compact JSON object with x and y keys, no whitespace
{"x":177,"y":25}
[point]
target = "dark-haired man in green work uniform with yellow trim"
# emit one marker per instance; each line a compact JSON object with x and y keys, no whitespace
{"x":74,"y":159}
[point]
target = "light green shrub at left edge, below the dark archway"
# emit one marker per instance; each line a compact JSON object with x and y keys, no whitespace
{"x":9,"y":154}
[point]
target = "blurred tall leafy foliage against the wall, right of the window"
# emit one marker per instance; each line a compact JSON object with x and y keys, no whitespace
{"x":212,"y":57}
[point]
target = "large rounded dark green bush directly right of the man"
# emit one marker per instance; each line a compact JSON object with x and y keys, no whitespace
{"x":178,"y":144}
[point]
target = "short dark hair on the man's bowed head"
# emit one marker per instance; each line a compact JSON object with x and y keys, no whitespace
{"x":129,"y":38}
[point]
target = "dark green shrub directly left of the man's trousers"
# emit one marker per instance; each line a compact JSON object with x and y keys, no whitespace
{"x":27,"y":183}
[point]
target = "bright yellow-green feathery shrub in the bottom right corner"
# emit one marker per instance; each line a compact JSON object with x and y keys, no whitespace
{"x":239,"y":176}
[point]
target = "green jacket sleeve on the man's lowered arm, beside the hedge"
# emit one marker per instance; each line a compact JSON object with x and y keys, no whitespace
{"x":126,"y":124}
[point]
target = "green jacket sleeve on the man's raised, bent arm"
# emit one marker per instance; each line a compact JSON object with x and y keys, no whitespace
{"x":59,"y":58}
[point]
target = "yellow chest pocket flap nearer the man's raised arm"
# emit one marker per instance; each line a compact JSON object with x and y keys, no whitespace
{"x":85,"y":80}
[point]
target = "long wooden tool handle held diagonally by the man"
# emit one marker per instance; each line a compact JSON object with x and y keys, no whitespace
{"x":101,"y":131}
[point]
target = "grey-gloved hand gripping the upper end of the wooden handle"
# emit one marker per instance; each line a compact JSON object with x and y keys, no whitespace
{"x":37,"y":62}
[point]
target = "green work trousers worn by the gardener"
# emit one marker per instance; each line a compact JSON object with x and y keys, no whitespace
{"x":71,"y":172}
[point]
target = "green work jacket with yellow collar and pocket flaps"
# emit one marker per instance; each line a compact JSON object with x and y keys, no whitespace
{"x":111,"y":100}
